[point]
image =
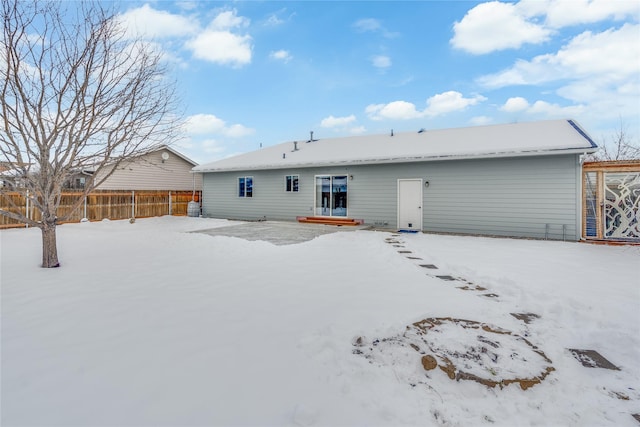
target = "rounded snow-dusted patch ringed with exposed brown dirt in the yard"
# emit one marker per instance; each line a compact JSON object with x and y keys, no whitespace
{"x":463,"y":350}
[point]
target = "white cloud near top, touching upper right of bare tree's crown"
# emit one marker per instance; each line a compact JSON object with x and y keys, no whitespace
{"x":148,"y":22}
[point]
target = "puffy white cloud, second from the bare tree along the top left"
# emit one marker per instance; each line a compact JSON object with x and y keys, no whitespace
{"x":219,"y":45}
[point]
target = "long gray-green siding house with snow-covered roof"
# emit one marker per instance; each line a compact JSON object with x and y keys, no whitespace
{"x":519,"y":180}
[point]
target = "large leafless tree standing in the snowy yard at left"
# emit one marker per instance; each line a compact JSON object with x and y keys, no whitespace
{"x":77,"y":94}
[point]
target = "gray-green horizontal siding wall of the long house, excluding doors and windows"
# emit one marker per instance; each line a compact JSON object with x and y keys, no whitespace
{"x":523,"y":197}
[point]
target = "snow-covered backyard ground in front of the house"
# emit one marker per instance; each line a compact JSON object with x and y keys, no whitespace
{"x":149,"y":324}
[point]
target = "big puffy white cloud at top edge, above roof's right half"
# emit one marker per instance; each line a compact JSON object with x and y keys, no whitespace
{"x":496,"y":26}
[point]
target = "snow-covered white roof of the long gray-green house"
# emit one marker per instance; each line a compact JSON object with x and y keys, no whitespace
{"x":507,"y":140}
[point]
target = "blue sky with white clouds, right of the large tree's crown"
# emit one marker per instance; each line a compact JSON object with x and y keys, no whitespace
{"x":264,"y":72}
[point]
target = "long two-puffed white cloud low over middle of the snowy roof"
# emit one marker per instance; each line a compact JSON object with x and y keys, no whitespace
{"x":438,"y":104}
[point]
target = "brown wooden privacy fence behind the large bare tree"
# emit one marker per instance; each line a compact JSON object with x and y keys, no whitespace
{"x":107,"y":204}
